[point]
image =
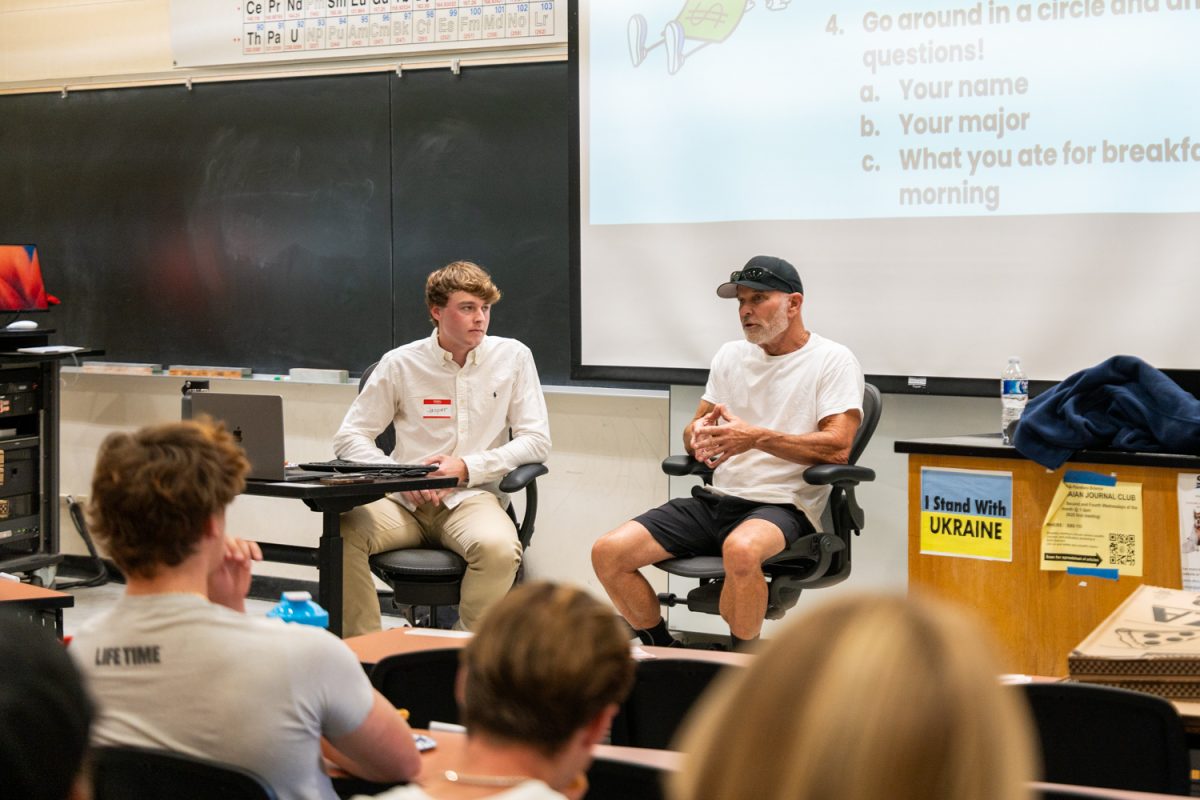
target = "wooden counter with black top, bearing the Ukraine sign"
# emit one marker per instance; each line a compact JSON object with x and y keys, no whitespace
{"x":1040,"y":617}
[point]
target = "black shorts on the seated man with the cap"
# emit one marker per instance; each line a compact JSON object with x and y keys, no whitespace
{"x":698,"y":526}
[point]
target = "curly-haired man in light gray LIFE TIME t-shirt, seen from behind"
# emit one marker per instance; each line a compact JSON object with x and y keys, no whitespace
{"x":178,"y":666}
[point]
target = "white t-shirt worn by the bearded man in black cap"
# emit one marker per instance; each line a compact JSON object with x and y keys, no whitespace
{"x":790,"y":394}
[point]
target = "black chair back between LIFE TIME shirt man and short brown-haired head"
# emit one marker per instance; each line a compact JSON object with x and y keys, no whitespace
{"x":423,"y":683}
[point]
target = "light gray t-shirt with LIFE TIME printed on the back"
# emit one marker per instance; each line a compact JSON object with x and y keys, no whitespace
{"x":177,"y":672}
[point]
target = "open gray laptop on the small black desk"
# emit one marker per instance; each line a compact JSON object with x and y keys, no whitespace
{"x":257,"y":424}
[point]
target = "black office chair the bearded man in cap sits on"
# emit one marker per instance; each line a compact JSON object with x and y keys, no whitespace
{"x":817,"y":561}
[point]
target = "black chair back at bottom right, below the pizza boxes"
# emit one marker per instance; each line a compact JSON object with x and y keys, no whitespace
{"x":1113,"y":738}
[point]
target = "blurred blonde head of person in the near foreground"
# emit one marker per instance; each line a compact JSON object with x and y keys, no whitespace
{"x":866,"y":699}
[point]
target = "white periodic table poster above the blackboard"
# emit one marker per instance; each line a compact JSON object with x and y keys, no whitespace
{"x":212,"y":33}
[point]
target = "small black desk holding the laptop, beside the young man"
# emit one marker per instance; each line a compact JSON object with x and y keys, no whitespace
{"x":332,"y":501}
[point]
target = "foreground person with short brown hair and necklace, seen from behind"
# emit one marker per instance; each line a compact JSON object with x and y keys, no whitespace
{"x":538,"y":688}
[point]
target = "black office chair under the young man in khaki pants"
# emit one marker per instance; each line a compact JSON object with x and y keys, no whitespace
{"x":434,"y":578}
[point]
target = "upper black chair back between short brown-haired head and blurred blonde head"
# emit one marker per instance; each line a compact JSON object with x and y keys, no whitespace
{"x":663,"y":695}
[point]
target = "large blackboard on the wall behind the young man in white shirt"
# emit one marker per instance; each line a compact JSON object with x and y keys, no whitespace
{"x":292,"y":222}
